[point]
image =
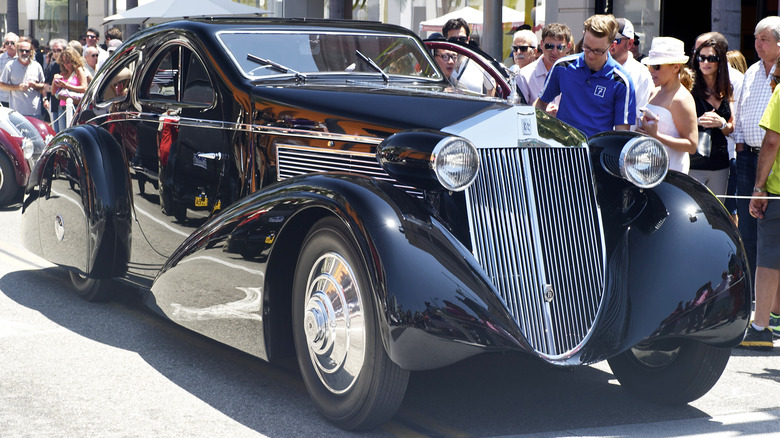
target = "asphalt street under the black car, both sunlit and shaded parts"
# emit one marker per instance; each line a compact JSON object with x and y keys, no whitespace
{"x":69,"y":368}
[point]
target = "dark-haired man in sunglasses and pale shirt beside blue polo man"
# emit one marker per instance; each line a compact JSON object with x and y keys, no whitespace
{"x":555,"y":45}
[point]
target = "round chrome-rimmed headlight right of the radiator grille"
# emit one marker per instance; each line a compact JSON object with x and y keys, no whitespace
{"x":644,"y":162}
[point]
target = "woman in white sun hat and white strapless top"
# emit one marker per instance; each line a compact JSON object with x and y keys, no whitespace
{"x":670,"y":115}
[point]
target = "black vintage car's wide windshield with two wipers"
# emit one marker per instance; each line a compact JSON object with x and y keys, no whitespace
{"x":309,"y":53}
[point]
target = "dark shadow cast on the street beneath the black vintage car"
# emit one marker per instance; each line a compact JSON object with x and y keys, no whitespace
{"x":488,"y":395}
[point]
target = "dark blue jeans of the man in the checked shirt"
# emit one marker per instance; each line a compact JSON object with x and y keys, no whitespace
{"x":746,"y":179}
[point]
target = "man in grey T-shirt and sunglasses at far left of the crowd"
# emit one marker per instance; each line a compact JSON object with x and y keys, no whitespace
{"x":24,"y":79}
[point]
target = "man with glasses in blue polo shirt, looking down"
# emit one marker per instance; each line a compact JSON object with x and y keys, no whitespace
{"x":596,"y":93}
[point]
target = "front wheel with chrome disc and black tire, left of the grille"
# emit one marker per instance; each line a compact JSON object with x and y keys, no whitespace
{"x":360,"y":386}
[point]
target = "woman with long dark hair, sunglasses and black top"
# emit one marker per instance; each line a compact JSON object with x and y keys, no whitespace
{"x":713,"y":95}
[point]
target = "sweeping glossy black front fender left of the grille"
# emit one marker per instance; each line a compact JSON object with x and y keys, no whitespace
{"x":430,"y":295}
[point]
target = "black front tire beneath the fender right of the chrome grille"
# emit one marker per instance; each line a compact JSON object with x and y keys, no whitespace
{"x":671,"y":372}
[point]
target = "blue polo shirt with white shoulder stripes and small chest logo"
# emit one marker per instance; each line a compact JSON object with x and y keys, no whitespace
{"x":592,"y":102}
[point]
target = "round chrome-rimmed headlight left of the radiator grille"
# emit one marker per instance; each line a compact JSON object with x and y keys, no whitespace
{"x":455,"y":163}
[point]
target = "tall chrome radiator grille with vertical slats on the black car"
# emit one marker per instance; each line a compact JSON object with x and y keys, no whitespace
{"x":536,"y":231}
